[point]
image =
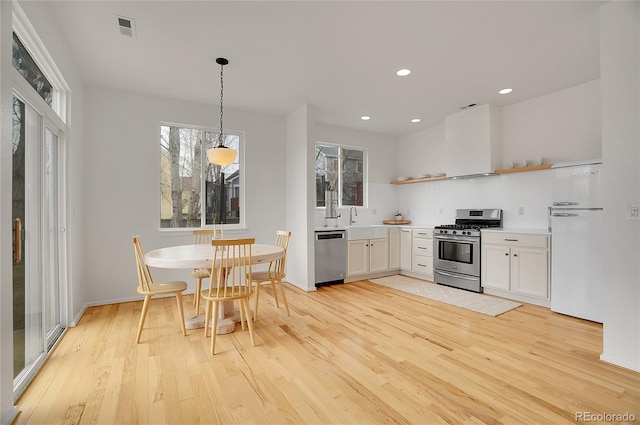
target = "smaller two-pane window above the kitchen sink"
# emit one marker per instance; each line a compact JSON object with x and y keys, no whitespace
{"x":340,"y":169}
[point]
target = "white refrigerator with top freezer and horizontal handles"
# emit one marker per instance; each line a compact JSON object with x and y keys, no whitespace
{"x":576,"y":225}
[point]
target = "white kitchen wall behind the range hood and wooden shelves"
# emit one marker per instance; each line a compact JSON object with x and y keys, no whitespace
{"x":561,"y":126}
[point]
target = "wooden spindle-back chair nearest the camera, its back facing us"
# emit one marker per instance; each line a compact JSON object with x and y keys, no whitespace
{"x":230,"y":280}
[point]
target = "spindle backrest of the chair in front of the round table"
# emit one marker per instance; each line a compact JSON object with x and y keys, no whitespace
{"x":231,"y":268}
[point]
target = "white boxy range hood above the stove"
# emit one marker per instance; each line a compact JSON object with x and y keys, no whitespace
{"x":473,"y":142}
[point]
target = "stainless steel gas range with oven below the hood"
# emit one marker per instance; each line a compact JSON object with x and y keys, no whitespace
{"x":456,"y":248}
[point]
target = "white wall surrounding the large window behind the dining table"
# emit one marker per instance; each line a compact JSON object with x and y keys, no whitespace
{"x":122,"y":183}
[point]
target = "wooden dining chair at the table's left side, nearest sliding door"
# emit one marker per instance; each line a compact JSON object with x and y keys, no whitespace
{"x":149,"y":288}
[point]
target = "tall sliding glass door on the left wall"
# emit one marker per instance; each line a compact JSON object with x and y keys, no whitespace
{"x":36,"y":274}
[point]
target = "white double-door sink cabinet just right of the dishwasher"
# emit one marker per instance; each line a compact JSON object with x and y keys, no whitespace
{"x":366,"y":256}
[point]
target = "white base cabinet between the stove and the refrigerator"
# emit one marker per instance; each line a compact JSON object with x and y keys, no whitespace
{"x":516,"y":265}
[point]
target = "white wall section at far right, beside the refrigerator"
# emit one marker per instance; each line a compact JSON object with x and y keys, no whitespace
{"x":620,"y":74}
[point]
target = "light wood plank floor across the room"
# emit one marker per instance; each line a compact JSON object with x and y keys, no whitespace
{"x":356,"y":353}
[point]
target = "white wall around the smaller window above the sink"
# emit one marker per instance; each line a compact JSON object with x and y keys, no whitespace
{"x":382,"y":165}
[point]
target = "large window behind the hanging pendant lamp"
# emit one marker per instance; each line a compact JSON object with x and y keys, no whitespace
{"x":185,"y":174}
